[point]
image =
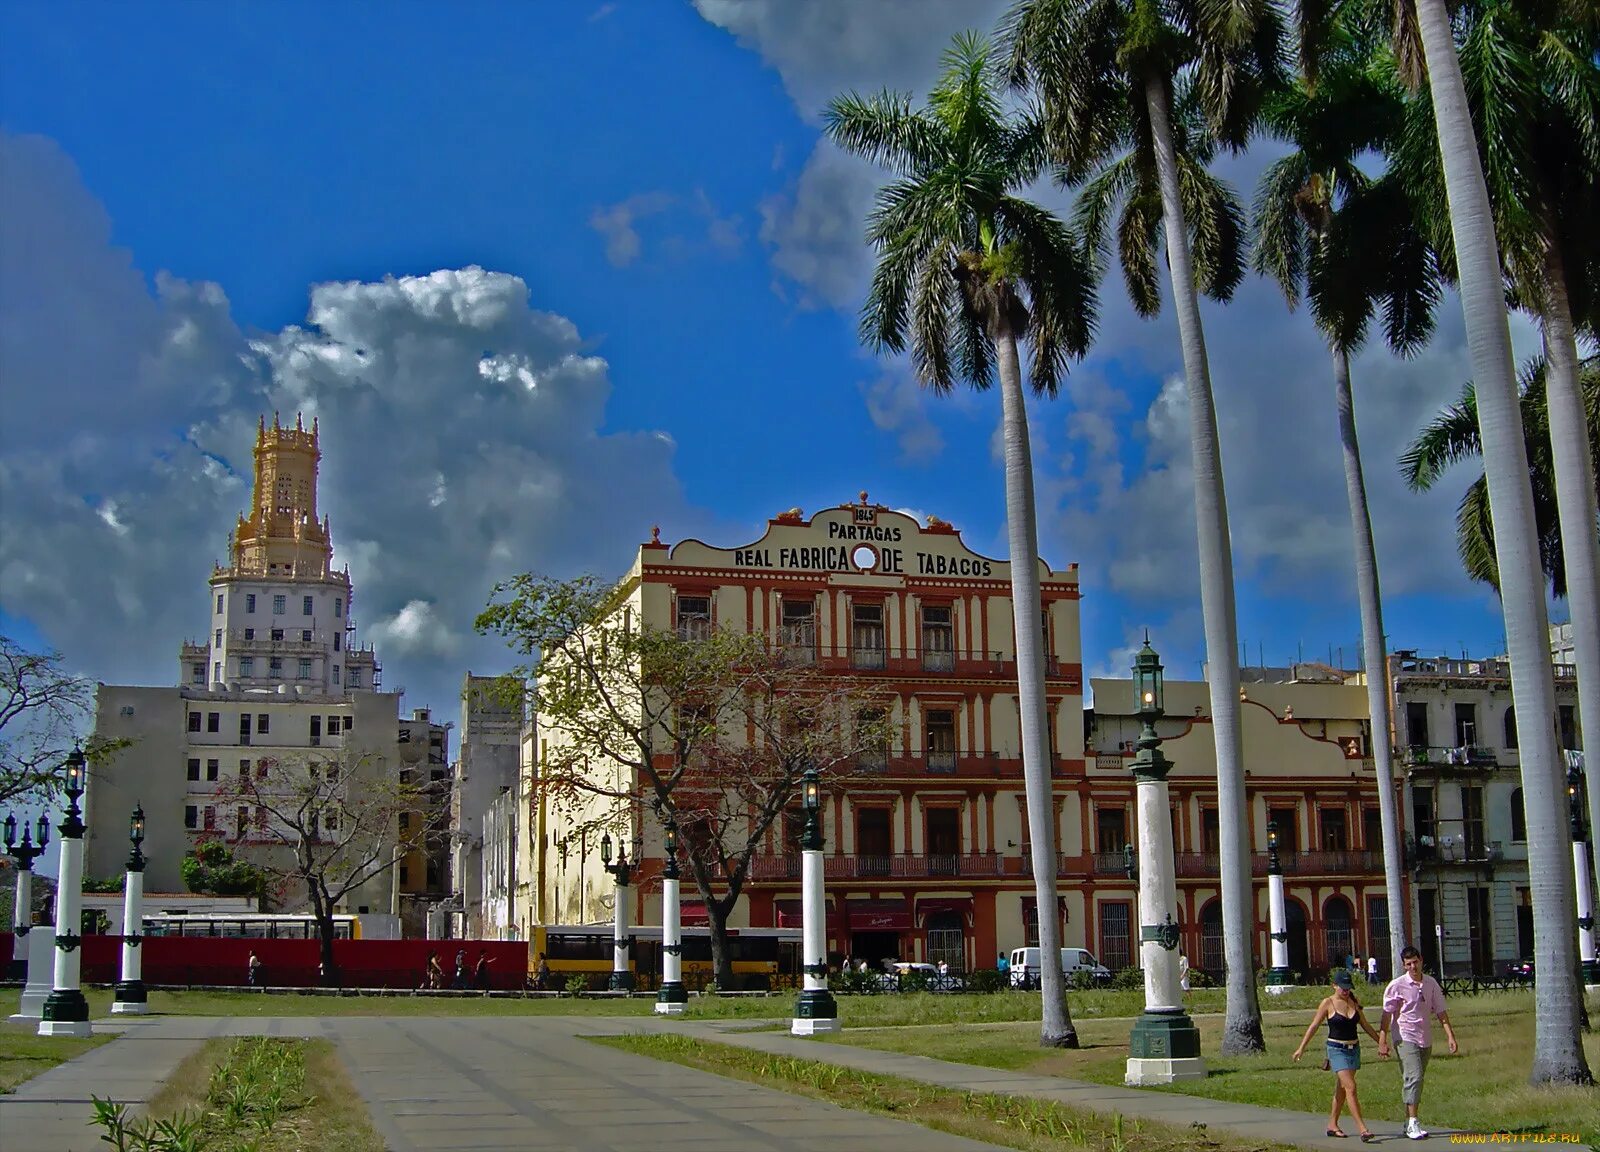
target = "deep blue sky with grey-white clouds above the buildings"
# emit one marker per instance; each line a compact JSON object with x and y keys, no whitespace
{"x":633,"y":204}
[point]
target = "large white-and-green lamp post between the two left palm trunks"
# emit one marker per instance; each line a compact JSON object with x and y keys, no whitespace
{"x":1164,"y":1046}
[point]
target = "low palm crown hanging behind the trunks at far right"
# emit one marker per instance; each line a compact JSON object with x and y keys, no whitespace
{"x":1454,"y":438}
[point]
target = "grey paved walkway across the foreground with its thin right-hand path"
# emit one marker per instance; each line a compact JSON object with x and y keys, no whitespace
{"x":530,"y":1082}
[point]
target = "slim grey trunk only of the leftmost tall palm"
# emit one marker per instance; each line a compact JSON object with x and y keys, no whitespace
{"x":1023,"y":540}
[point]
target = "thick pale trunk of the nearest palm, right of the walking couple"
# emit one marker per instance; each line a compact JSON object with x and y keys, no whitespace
{"x":1558,"y":1052}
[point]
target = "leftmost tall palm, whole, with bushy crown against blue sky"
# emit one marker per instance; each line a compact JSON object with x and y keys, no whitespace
{"x":967,"y":273}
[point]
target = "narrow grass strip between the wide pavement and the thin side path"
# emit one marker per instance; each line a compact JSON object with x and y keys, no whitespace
{"x":1009,"y":1121}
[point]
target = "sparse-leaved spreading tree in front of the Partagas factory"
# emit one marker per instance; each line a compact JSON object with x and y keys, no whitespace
{"x":711,"y":732}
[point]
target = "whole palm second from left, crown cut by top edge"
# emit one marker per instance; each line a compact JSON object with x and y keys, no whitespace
{"x":1134,"y":95}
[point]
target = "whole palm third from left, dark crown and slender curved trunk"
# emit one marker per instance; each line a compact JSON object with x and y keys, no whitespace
{"x":1350,"y":244}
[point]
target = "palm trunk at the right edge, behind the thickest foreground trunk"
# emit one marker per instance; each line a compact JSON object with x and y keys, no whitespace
{"x":1575,"y":497}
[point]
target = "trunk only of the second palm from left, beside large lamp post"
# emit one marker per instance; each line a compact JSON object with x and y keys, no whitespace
{"x":1242,"y":1025}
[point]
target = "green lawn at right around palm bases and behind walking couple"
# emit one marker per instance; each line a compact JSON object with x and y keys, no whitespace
{"x":1481,"y":1090}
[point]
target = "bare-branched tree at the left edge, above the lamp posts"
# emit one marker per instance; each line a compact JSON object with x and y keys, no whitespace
{"x":42,"y":713}
